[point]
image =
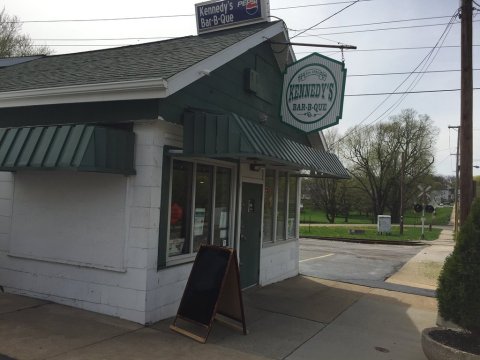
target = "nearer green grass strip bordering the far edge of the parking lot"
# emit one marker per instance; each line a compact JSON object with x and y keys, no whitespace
{"x":409,"y":233}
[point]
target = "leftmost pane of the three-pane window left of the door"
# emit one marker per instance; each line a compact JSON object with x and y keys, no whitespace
{"x":179,"y":239}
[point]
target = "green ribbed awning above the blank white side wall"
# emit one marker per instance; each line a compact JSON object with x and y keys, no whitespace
{"x":69,"y":147}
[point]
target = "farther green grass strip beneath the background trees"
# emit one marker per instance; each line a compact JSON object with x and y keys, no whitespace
{"x":441,"y":217}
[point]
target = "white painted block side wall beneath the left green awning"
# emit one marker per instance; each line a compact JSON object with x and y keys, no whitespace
{"x":118,"y":215}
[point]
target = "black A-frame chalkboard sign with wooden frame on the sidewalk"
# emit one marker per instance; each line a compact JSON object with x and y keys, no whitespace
{"x":212,"y":293}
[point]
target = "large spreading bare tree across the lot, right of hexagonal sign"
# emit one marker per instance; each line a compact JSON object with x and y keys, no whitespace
{"x":375,"y":153}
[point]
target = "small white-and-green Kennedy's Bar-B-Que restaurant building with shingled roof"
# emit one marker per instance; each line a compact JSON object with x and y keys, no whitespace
{"x":118,"y":164}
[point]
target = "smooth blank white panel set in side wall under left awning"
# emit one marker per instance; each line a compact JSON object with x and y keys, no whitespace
{"x":71,"y":217}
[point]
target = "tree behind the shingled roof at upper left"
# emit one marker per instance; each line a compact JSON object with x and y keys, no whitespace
{"x":13,"y":42}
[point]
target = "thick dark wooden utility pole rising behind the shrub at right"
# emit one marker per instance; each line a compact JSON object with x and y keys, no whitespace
{"x":466,"y":113}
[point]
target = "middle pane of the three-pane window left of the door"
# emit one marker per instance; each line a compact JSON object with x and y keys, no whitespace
{"x":203,"y":206}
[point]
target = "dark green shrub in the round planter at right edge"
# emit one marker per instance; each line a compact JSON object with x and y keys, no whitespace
{"x":458,"y":290}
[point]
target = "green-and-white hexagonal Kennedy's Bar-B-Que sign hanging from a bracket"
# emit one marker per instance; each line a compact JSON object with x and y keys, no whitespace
{"x":313,"y":91}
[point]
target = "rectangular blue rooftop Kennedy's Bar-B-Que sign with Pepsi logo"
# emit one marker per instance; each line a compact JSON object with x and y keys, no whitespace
{"x":218,"y":15}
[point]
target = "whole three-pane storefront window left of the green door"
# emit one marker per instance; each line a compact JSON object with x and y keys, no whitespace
{"x":190,"y":228}
